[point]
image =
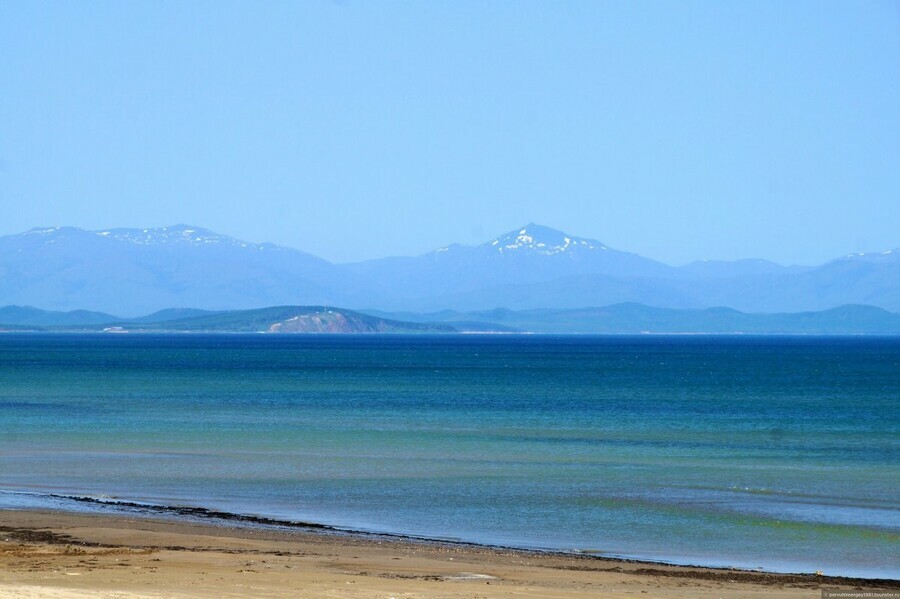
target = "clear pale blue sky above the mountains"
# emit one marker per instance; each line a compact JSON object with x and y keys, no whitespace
{"x":355,"y":130}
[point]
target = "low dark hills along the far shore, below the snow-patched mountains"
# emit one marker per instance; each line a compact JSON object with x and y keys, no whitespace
{"x":616,"y":319}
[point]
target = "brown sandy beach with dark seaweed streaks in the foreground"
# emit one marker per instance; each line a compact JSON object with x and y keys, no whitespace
{"x":53,"y":554}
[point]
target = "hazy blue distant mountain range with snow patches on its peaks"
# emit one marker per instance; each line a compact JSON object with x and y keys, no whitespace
{"x":127,"y":272}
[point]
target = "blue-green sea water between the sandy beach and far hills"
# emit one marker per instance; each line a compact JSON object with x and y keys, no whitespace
{"x":779,"y":452}
